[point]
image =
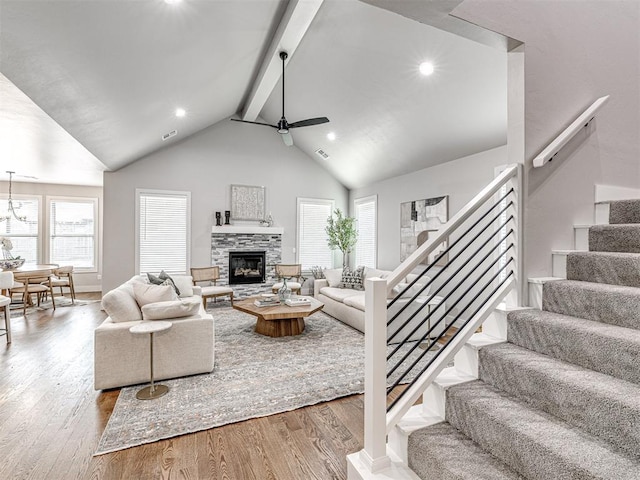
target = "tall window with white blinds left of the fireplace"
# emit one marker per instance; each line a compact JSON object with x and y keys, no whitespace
{"x":163,"y":231}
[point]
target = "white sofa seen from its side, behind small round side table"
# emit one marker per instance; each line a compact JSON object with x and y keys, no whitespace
{"x":122,"y":358}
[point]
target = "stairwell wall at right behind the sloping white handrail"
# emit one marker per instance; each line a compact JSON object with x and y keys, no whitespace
{"x":575,"y":52}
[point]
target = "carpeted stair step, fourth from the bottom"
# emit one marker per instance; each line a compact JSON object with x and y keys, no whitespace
{"x":612,"y":355}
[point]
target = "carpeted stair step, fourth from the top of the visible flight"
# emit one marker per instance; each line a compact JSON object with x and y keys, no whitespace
{"x":615,"y":306}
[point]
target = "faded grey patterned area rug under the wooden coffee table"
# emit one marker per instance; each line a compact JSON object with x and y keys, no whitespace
{"x":254,"y":376}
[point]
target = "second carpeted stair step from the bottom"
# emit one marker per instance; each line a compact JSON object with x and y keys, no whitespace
{"x":547,"y":446}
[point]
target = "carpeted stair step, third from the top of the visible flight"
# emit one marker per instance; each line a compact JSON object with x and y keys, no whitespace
{"x":612,"y":269}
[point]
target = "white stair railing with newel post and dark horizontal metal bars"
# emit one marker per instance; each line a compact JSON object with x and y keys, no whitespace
{"x":485,"y":259}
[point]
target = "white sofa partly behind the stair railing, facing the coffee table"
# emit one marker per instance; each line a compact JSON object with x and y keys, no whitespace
{"x":347,"y":305}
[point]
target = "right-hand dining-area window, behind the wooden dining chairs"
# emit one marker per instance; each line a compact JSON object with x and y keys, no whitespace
{"x":73,"y":232}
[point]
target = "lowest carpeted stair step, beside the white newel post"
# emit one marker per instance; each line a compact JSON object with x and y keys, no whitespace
{"x":440,"y":451}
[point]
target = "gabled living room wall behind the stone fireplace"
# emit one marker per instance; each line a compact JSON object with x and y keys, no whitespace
{"x":206,"y":164}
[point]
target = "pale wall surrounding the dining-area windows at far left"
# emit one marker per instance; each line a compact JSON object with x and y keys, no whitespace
{"x":83,"y":281}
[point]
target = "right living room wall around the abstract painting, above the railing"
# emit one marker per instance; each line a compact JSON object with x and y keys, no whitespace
{"x":460,"y":179}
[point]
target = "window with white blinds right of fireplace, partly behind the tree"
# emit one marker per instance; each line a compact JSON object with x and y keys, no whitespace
{"x":313,"y":249}
